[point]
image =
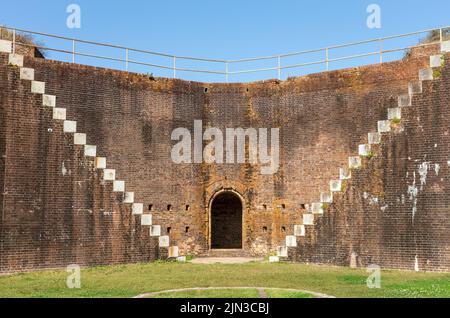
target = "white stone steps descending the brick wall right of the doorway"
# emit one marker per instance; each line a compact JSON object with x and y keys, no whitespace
{"x":365,"y":151}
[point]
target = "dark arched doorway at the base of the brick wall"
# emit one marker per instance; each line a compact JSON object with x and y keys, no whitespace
{"x":226,"y":221}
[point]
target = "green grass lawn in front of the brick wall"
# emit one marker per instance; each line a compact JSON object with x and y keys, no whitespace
{"x":132,"y":280}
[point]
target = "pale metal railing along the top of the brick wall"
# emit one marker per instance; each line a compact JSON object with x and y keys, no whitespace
{"x":278,"y":67}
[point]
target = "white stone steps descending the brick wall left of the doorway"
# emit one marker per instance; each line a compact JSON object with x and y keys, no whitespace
{"x":90,"y":151}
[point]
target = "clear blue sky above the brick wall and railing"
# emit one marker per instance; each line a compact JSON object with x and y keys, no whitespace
{"x":226,"y":29}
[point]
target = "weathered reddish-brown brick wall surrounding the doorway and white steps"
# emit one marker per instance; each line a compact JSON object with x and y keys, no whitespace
{"x":56,"y":210}
